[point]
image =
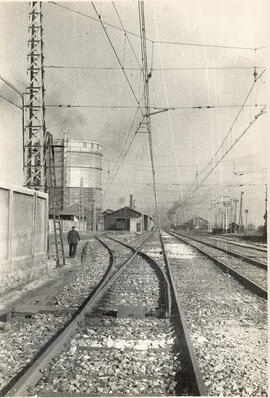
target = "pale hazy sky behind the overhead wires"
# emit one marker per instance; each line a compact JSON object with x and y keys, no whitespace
{"x":184,"y":139}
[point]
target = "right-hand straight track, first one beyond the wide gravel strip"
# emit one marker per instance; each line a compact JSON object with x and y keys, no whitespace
{"x":254,"y":286}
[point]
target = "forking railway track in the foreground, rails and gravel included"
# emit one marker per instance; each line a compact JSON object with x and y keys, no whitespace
{"x":126,"y":338}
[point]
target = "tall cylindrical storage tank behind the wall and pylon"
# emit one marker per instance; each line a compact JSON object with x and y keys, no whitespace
{"x":83,"y":168}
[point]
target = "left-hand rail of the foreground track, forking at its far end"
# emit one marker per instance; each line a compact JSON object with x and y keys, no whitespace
{"x":31,"y":373}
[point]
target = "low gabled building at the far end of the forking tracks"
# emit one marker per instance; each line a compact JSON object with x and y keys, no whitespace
{"x":127,"y":219}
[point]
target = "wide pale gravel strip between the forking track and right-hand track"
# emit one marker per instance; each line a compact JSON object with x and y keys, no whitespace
{"x":227,"y":324}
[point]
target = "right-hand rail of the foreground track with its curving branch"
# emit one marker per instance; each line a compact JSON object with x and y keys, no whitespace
{"x":193,"y":373}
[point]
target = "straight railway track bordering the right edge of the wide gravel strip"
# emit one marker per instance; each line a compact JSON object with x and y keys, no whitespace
{"x":251,"y":273}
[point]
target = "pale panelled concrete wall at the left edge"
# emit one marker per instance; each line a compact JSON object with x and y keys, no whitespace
{"x":23,"y":235}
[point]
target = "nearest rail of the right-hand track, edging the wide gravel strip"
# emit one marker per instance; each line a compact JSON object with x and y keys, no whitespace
{"x":249,"y":284}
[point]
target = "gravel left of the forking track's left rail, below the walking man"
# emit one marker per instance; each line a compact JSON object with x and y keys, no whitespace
{"x":20,"y":340}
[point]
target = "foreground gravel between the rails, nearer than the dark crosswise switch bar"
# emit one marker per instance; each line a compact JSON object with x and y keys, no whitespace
{"x":126,"y":360}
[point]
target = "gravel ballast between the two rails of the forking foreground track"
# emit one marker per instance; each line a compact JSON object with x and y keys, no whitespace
{"x":125,"y":355}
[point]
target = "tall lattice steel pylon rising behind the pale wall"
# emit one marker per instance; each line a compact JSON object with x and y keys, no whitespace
{"x":35,"y":135}
